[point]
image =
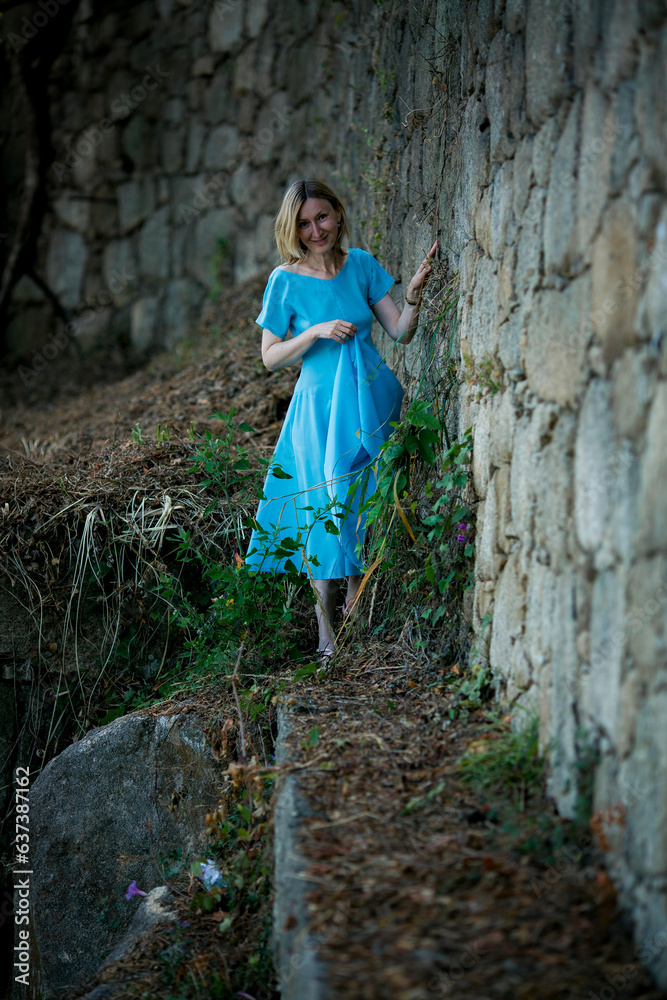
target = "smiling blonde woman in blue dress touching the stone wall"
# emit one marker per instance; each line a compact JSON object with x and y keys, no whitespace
{"x":319,"y":306}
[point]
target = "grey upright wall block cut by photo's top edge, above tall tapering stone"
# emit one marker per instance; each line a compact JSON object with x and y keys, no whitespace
{"x":548,"y":59}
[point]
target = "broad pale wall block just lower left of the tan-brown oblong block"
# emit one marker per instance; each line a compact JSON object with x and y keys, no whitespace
{"x":554,"y":342}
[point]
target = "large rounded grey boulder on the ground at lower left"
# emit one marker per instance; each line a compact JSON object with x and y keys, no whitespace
{"x":104,"y":811}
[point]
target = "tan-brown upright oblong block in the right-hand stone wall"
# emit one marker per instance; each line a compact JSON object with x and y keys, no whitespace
{"x":615,"y":280}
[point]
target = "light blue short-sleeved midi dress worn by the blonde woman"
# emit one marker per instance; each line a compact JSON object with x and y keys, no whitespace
{"x":340,"y":414}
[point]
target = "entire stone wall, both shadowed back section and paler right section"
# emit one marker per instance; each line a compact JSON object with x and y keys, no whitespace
{"x":530,"y":136}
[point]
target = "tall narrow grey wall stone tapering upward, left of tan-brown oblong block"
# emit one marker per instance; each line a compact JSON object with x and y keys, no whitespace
{"x":560,"y":246}
